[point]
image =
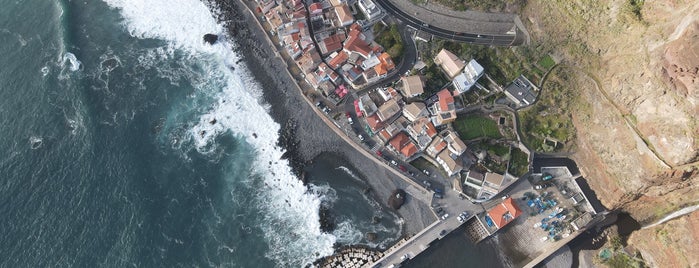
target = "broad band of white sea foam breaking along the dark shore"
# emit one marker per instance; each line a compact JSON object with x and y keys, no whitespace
{"x":290,"y":221}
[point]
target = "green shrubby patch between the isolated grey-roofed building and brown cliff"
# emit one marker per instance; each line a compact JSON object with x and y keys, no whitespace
{"x":547,"y":126}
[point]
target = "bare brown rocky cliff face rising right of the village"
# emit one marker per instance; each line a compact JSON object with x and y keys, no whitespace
{"x":635,"y":68}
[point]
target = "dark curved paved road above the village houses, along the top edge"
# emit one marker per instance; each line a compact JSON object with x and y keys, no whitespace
{"x":474,"y":38}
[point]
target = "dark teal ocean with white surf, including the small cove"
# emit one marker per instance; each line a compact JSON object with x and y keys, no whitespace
{"x":127,"y":141}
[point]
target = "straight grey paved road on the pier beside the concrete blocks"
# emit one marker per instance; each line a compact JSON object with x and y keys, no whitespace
{"x":453,"y":205}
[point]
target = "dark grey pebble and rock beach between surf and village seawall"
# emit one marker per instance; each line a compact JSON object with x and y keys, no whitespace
{"x":303,"y":134}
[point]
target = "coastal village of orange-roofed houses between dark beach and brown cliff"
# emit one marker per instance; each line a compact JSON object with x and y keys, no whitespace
{"x":444,"y":139}
